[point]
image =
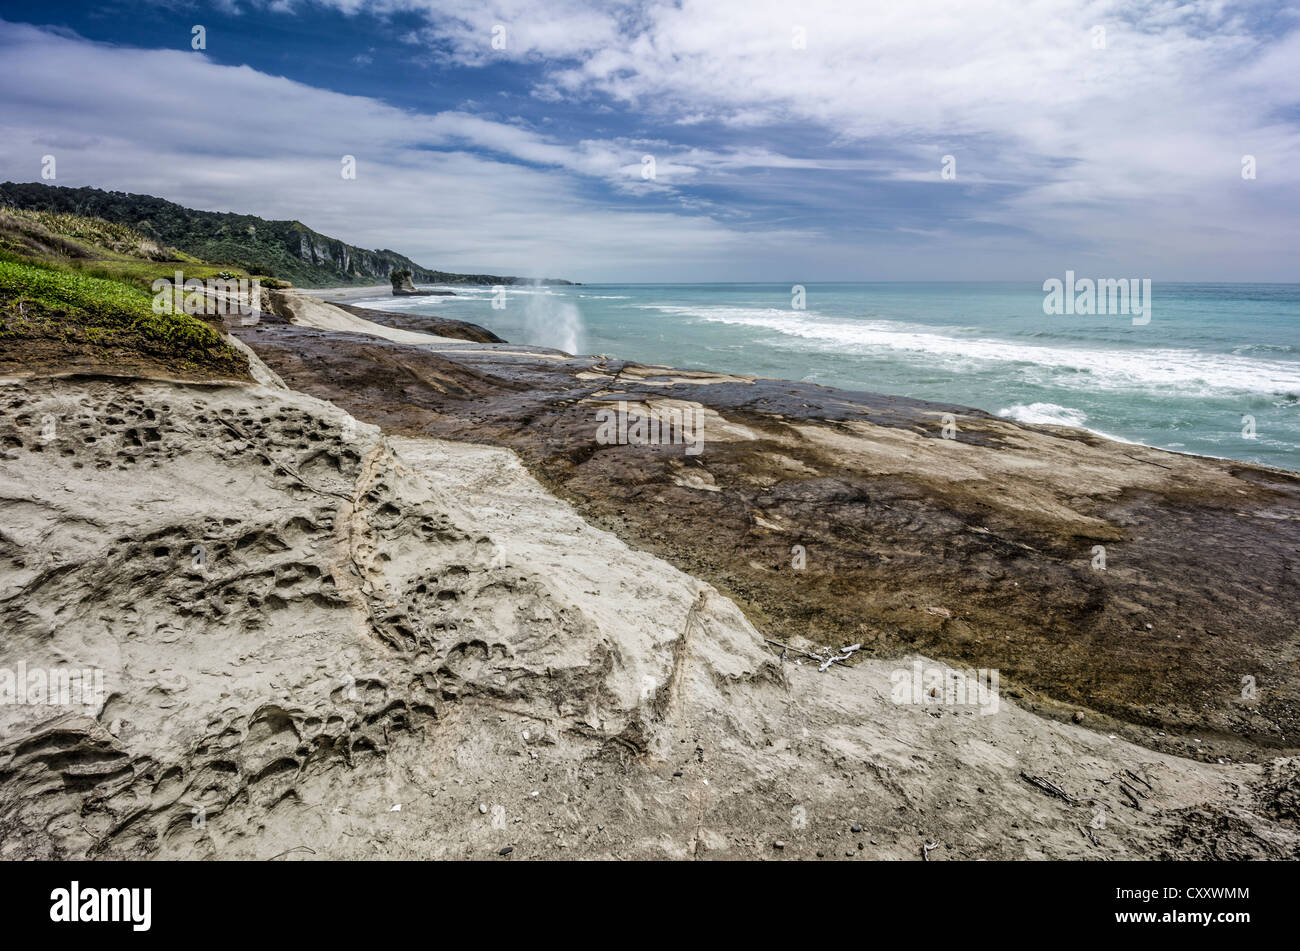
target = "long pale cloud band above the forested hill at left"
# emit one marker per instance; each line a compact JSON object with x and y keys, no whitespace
{"x":274,"y":147}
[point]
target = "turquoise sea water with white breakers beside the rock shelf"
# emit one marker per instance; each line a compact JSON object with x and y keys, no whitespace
{"x":1211,"y":355}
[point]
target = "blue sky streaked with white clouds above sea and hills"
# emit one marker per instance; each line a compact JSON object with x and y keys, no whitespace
{"x":694,"y":141}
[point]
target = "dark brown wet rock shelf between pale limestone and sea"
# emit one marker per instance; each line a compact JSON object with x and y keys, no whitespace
{"x":980,"y":549}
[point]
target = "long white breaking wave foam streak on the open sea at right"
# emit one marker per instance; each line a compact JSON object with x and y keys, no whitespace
{"x":1190,"y":374}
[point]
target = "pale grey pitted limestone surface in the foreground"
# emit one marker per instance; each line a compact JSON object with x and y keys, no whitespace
{"x":318,"y":642}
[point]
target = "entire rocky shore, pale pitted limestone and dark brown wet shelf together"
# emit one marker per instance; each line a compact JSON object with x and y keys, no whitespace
{"x":392,"y":597}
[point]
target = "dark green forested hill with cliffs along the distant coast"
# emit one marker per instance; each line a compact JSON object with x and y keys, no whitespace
{"x":285,"y":250}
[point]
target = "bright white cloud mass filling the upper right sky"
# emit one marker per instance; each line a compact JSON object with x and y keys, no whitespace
{"x":1150,"y":129}
